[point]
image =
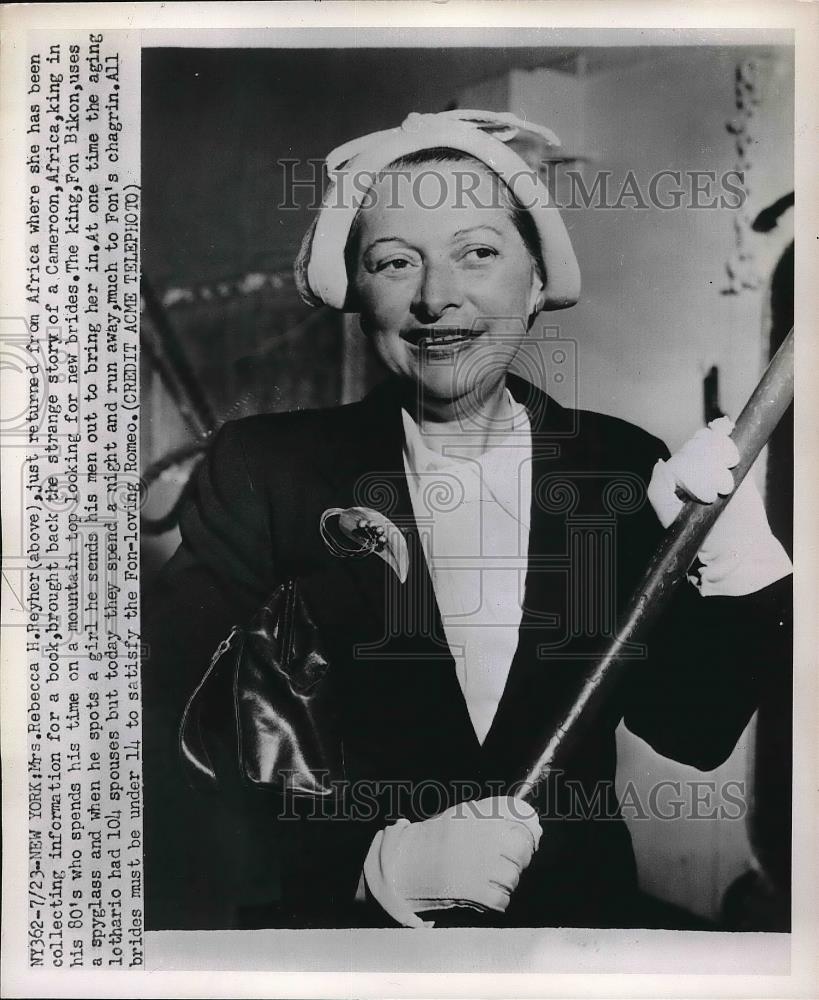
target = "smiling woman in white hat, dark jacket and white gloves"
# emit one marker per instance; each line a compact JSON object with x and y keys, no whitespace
{"x":455,"y":653}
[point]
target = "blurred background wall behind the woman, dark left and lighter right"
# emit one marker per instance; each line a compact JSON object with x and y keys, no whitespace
{"x":669,"y":295}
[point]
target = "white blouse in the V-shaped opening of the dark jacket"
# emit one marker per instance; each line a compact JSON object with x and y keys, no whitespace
{"x":473,"y":511}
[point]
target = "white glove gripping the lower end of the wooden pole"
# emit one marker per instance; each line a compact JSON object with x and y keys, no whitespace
{"x":469,"y":855}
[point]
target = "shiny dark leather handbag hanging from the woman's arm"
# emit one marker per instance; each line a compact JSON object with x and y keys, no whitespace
{"x":264,"y":713}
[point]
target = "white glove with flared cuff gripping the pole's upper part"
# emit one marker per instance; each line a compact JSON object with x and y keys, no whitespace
{"x":740,"y":555}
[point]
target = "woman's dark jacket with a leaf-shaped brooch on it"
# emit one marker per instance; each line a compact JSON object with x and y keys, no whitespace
{"x":408,"y":744}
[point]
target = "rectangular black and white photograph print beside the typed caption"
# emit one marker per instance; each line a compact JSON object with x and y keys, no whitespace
{"x":441,"y":344}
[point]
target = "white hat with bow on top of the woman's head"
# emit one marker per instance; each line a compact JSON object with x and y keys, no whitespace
{"x":320,"y":270}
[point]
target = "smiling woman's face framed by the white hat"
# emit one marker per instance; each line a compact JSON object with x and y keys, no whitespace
{"x":443,"y":280}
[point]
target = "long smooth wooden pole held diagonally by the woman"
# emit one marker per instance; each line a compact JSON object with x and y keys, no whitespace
{"x":763,"y":411}
